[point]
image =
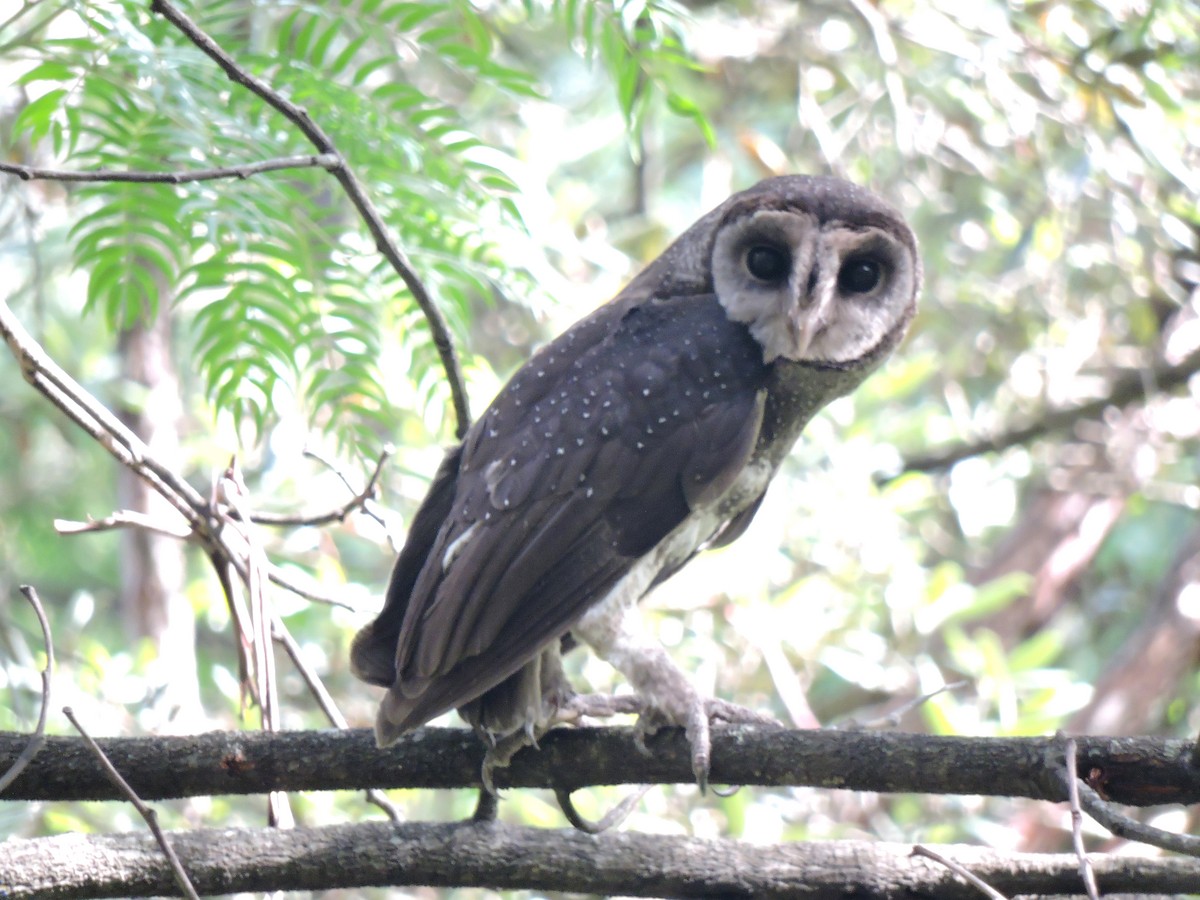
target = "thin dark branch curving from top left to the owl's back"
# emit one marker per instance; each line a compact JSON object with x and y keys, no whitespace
{"x":355,"y":190}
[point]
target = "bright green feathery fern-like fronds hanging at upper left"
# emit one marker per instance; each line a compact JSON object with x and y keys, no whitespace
{"x":275,"y":274}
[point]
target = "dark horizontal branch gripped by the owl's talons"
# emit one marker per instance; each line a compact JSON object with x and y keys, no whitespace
{"x":1130,"y":771}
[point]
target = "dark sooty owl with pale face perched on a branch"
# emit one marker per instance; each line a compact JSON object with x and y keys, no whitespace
{"x":644,"y":435}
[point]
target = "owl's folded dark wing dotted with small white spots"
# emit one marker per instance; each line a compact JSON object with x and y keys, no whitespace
{"x":596,"y":452}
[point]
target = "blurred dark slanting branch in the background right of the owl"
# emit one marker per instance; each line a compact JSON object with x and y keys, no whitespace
{"x":1129,"y":387}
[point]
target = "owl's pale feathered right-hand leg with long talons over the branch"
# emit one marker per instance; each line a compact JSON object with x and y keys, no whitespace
{"x":615,"y":632}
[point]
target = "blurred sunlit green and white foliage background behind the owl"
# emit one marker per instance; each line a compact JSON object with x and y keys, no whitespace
{"x":531,"y":158}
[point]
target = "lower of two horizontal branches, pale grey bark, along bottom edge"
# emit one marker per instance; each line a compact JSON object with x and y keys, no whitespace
{"x":511,"y":857}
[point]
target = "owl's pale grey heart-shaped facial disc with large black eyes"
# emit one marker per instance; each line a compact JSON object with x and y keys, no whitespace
{"x":811,"y":291}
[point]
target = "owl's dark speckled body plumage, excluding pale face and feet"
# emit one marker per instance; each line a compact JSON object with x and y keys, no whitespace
{"x":620,"y":440}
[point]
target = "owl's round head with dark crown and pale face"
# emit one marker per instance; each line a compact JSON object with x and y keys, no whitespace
{"x":823,"y":272}
